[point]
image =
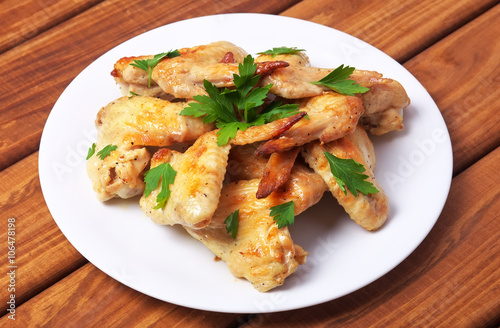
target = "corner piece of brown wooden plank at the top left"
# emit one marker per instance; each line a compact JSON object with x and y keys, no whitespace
{"x":25,"y":19}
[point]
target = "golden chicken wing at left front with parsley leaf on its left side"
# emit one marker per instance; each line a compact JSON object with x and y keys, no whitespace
{"x":196,"y":189}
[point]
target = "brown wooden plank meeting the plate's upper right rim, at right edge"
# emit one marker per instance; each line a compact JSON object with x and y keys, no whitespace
{"x":462,"y":74}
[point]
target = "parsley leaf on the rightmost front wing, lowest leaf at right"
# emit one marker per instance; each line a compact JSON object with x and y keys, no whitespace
{"x":348,"y":172}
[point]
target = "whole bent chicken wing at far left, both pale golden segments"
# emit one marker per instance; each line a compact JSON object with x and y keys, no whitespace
{"x":130,"y":123}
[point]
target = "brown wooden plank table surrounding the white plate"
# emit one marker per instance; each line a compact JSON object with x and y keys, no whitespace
{"x":452,"y":46}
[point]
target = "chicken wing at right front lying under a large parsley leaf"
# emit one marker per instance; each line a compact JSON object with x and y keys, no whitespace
{"x":369,"y":211}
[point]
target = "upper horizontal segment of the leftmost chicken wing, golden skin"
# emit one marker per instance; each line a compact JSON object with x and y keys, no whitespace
{"x":147,"y":121}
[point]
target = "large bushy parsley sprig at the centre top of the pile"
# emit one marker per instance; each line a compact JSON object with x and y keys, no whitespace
{"x":238,"y":108}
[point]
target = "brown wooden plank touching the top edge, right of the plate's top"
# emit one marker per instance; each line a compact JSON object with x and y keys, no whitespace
{"x":399,"y":28}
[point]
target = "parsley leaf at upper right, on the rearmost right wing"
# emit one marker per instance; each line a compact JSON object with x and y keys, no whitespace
{"x":338,"y":80}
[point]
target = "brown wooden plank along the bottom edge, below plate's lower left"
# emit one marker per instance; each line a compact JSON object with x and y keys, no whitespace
{"x":88,"y":297}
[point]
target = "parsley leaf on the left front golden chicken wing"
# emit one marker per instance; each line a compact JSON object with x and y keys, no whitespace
{"x":167,"y":174}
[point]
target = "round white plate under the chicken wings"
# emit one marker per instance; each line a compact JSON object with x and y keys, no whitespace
{"x":413,"y":166}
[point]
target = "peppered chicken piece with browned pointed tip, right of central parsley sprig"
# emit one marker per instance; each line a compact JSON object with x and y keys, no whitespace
{"x":330,"y":116}
